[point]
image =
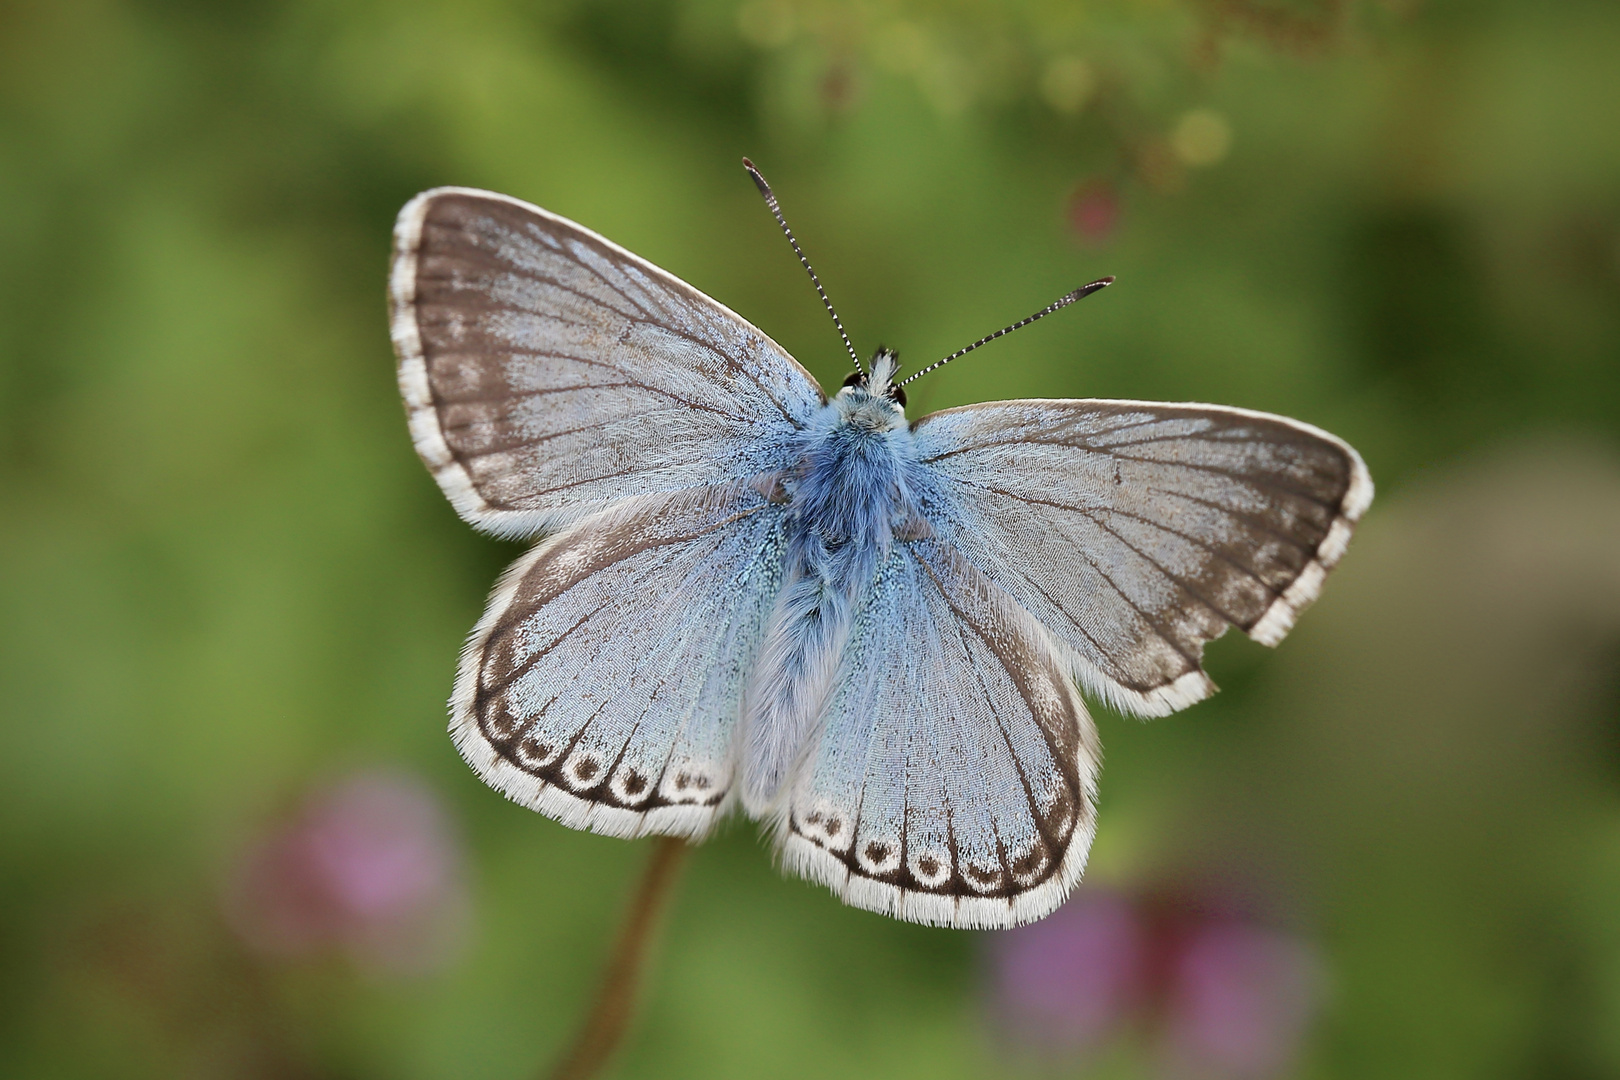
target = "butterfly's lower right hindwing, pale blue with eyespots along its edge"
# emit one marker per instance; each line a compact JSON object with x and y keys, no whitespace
{"x":953,"y":778}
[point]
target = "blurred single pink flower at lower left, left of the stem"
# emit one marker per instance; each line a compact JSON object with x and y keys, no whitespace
{"x":369,"y":867}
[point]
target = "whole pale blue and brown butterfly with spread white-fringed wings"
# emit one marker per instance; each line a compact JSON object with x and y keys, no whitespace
{"x":868,"y":632}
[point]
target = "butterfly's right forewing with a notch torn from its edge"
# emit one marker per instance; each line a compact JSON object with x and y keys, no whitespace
{"x":1136,"y":532}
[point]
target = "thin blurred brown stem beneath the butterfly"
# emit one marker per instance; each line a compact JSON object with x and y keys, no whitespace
{"x":610,"y":1016}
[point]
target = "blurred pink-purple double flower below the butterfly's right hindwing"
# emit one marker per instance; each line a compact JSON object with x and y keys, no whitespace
{"x":1208,"y":997}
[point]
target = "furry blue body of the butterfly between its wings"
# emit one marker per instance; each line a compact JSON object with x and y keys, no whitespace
{"x":846,"y":496}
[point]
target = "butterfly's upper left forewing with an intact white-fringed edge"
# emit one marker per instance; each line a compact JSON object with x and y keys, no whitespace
{"x":550,"y":373}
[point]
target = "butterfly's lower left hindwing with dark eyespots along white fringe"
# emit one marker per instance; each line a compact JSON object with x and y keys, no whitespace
{"x":603,"y":684}
